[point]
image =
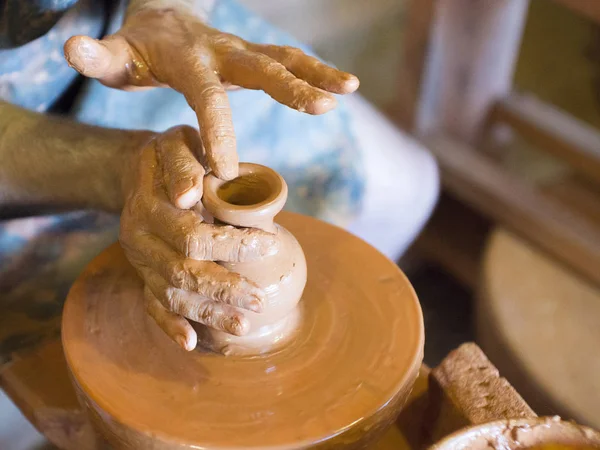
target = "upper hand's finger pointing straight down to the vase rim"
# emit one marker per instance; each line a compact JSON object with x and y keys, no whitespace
{"x":206,"y":95}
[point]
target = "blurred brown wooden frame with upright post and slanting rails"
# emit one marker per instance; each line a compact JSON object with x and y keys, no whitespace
{"x":456,"y":82}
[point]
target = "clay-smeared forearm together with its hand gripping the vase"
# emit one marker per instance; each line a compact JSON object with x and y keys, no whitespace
{"x":154,"y":180}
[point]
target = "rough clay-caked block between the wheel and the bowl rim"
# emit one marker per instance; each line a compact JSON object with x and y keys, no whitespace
{"x":466,"y":389}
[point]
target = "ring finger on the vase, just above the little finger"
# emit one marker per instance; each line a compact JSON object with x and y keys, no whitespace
{"x":214,"y":315}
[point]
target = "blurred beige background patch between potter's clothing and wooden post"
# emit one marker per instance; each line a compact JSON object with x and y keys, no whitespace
{"x":360,"y":37}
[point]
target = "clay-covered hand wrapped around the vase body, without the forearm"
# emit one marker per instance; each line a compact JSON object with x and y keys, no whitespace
{"x":172,"y":249}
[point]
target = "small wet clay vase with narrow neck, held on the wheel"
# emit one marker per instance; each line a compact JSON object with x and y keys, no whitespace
{"x":253,"y":199}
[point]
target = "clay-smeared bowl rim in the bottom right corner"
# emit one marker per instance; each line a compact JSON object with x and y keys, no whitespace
{"x":539,"y":433}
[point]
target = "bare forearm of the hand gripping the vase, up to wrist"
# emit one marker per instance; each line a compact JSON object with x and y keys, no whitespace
{"x":52,"y":162}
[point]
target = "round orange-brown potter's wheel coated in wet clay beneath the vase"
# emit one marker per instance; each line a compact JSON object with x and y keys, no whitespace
{"x":341,"y":381}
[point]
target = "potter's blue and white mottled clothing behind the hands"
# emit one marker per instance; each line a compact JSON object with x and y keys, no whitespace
{"x":40,"y":257}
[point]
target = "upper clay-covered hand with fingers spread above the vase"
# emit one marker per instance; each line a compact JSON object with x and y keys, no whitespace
{"x":170,"y":47}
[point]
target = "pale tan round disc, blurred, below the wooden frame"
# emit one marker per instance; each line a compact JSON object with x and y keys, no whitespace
{"x":540,"y":322}
